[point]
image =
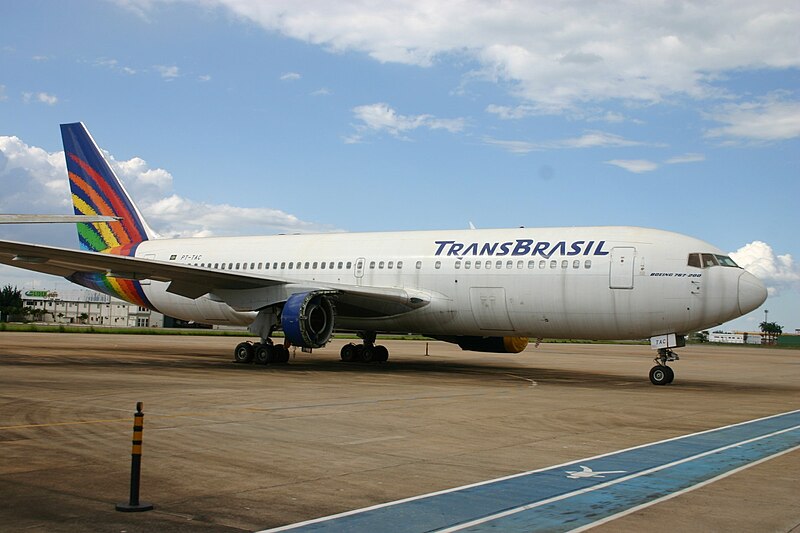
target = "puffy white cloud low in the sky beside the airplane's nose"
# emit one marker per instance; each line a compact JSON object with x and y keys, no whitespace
{"x":778,"y":272}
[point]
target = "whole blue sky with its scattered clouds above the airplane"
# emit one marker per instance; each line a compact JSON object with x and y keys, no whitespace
{"x":256,"y":117}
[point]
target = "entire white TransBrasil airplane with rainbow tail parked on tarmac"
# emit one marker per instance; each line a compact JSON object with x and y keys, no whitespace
{"x":486,"y":290}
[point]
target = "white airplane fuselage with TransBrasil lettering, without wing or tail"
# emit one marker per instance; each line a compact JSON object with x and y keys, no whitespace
{"x":588,"y":282}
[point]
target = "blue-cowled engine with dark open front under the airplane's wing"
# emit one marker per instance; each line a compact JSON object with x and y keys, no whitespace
{"x":307,"y":319}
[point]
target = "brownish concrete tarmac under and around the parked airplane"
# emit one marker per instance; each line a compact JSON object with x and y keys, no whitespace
{"x":232,"y":447}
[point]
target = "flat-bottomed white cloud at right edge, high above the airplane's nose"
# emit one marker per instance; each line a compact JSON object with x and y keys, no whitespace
{"x":772,"y":118}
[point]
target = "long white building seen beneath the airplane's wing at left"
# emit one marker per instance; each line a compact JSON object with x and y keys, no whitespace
{"x":83,"y":306}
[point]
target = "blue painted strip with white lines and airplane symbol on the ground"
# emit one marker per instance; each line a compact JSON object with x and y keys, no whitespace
{"x":580,"y":493}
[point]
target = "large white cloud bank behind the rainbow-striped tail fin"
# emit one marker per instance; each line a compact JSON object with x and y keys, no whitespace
{"x":35,"y":181}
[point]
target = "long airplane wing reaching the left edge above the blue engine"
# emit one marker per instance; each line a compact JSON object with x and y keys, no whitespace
{"x":242,"y":291}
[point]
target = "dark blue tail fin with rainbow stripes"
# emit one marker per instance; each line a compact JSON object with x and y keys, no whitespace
{"x":96,"y":190}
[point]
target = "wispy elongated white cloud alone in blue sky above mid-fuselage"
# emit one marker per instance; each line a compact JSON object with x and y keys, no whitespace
{"x":380,"y":117}
